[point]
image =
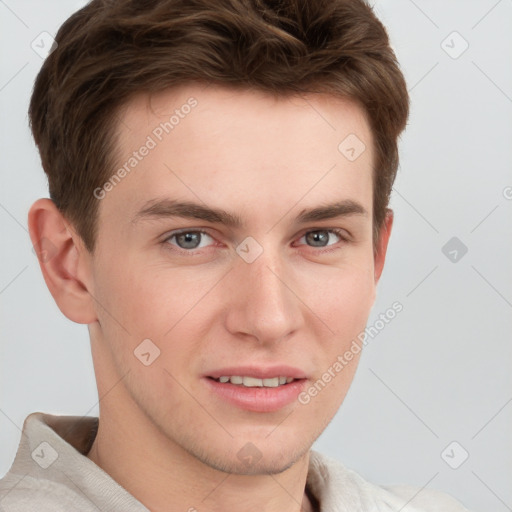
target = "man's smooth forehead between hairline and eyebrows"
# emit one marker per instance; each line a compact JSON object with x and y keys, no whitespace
{"x":243,"y":148}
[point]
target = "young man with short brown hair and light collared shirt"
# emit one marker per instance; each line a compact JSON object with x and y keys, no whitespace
{"x":219,"y":175}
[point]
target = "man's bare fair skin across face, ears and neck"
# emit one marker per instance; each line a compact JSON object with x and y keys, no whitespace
{"x":162,"y":434}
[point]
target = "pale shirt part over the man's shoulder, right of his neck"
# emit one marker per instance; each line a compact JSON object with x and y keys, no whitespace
{"x":340,"y":488}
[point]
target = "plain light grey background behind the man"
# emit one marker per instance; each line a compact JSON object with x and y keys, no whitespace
{"x":440,"y":371}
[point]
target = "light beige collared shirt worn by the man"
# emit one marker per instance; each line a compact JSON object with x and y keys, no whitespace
{"x":51,"y":473}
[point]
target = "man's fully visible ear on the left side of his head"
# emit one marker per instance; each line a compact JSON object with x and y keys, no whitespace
{"x":62,"y":258}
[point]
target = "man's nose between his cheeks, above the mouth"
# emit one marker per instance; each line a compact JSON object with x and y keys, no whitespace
{"x":262,"y":303}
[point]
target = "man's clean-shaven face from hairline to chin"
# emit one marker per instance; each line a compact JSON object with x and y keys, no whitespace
{"x":217,"y":258}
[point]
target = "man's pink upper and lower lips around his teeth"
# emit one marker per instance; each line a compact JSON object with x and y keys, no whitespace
{"x":257,"y":399}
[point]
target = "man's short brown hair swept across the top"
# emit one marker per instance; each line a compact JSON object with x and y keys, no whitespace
{"x":113,"y":49}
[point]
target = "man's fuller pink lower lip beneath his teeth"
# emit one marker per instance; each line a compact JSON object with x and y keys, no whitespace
{"x":257,"y":399}
